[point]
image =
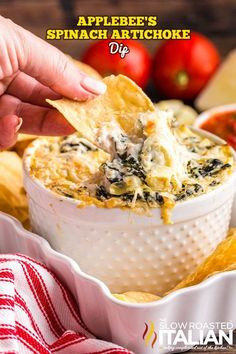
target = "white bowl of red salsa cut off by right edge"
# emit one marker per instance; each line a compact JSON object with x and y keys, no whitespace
{"x":220,"y":121}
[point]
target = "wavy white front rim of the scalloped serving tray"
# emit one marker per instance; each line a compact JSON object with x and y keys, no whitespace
{"x":74,"y":267}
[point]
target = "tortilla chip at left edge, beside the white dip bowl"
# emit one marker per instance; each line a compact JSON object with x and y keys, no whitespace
{"x":13,"y":199}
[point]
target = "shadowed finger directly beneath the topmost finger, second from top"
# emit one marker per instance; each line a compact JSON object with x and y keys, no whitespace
{"x":29,"y":90}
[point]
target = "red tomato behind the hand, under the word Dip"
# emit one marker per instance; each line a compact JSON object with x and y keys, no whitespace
{"x":136,"y":64}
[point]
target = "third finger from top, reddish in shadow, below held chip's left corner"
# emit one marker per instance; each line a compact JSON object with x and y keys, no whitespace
{"x":36,"y":120}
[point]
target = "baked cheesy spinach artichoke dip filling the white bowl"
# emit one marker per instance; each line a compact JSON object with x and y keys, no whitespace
{"x":162,"y":166}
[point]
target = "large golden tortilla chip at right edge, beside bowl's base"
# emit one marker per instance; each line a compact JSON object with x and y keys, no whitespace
{"x":221,"y":260}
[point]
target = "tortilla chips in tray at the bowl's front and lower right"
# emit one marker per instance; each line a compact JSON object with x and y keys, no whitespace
{"x":221,"y":260}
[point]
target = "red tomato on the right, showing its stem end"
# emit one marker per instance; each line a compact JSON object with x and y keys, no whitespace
{"x":181,"y":68}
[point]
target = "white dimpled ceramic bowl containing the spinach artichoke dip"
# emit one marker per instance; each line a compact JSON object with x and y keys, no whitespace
{"x":128,"y":251}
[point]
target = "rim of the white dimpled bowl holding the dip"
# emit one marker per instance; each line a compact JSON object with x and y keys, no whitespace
{"x":70,"y":201}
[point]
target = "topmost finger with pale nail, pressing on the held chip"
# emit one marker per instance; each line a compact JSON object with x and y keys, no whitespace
{"x":54,"y":69}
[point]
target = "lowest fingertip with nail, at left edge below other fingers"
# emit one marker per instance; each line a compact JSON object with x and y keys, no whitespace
{"x":9,"y":127}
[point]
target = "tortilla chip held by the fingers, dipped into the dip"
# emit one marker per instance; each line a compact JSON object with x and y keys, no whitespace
{"x":121,"y":103}
